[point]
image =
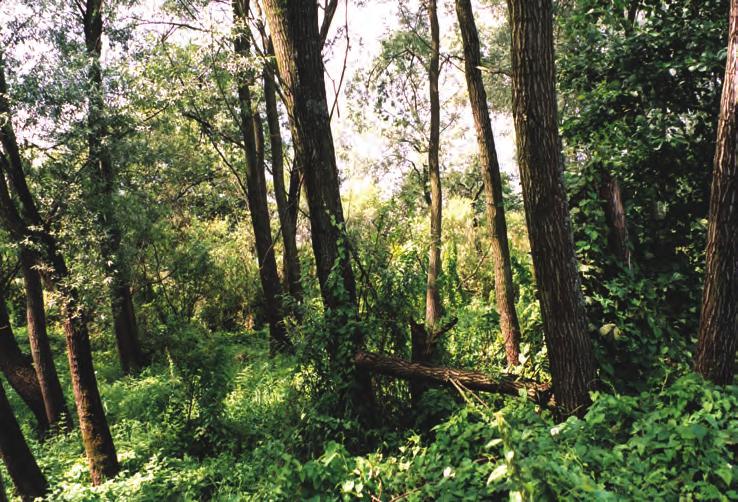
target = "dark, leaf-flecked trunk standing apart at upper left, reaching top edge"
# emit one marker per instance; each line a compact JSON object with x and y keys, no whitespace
{"x":100,"y":165}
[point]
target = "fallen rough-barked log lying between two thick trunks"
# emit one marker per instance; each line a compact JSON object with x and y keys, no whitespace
{"x":539,"y":393}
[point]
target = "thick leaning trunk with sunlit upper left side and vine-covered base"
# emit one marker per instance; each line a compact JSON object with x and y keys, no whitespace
{"x":294,"y":28}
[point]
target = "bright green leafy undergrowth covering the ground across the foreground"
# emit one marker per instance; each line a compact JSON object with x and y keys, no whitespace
{"x":217,"y":418}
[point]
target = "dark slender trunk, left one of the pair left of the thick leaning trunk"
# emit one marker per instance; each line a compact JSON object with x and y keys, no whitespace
{"x":251,"y":135}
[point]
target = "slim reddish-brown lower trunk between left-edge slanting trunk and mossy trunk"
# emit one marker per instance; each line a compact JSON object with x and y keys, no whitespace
{"x":54,"y":403}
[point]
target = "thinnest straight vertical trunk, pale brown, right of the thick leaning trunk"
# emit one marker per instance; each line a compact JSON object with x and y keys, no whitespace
{"x":433,"y":298}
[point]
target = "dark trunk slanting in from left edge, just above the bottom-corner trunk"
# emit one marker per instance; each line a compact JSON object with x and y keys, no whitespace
{"x":18,"y":370}
